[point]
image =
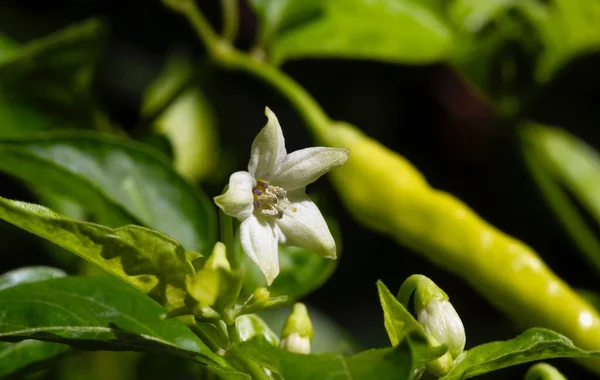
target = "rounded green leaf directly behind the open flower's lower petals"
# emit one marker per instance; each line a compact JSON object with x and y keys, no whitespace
{"x":300,"y":271}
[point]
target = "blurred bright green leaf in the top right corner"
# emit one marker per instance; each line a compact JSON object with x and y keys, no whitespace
{"x":567,"y":29}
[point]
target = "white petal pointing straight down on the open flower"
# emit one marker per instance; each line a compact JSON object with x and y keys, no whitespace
{"x":260,"y":244}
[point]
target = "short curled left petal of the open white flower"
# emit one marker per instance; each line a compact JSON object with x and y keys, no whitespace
{"x":238,"y":199}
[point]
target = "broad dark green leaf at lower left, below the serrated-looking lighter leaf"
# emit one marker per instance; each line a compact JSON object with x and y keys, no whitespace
{"x":96,"y":313}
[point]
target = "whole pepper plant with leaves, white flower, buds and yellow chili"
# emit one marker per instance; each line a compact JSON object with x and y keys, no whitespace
{"x":171,"y":272}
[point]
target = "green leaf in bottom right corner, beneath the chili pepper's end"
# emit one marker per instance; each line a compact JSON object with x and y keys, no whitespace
{"x":532,"y":345}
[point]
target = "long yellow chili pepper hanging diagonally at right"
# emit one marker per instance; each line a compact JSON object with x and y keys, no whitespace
{"x":388,"y":194}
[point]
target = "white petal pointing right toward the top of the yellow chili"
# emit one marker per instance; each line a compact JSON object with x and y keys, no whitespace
{"x":305,"y":166}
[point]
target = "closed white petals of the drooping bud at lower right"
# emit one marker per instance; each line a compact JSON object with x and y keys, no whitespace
{"x":440,"y":320}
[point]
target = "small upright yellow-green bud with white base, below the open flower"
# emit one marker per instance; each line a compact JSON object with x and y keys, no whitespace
{"x":297,"y":331}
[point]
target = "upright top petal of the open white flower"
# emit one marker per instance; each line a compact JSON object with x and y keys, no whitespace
{"x":268,"y":149}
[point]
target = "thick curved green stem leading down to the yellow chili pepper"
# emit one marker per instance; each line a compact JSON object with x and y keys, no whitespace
{"x":229,"y":58}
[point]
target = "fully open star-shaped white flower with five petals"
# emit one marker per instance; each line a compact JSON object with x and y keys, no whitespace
{"x":270,"y":199}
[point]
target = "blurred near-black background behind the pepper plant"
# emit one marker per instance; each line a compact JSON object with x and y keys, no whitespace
{"x":426,"y":113}
